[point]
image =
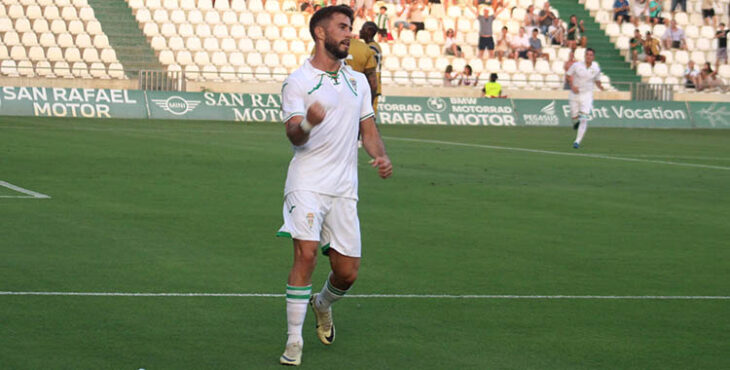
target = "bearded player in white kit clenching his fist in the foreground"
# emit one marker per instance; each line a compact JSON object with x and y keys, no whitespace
{"x":325,"y":104}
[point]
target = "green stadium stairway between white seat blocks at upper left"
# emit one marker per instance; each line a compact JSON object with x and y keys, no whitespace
{"x":122,"y":29}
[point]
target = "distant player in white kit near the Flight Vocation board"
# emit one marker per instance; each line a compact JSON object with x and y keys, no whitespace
{"x":581,"y":77}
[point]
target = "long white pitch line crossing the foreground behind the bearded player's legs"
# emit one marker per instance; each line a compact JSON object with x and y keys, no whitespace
{"x":392,"y":296}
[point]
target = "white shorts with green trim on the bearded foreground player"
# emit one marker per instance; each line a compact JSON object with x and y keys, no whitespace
{"x":332,"y":221}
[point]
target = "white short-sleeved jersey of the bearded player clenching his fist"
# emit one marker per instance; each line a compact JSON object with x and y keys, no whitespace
{"x":327,"y":162}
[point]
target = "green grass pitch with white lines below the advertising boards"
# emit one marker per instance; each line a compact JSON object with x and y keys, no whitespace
{"x":180,"y":207}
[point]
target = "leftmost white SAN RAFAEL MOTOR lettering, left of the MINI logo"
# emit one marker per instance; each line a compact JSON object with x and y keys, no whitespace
{"x":62,"y":102}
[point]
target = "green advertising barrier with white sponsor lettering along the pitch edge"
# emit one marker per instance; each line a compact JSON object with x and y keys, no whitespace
{"x":392,"y":110}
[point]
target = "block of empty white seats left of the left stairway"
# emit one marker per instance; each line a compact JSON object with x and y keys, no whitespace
{"x":54,"y":39}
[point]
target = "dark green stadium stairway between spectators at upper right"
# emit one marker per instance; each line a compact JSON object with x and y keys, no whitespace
{"x":609,"y":58}
